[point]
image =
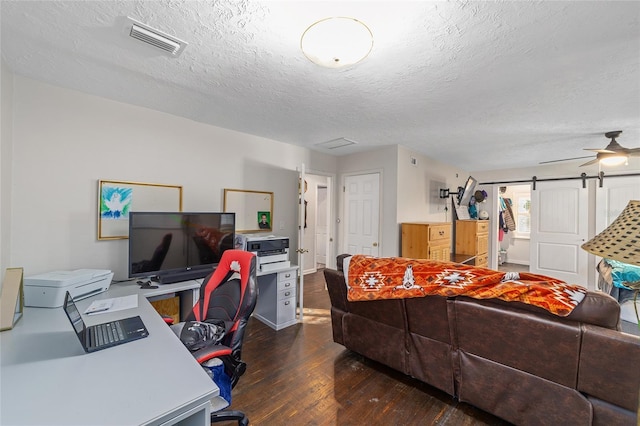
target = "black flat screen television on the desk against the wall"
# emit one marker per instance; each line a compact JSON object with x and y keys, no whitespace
{"x":178,"y":246}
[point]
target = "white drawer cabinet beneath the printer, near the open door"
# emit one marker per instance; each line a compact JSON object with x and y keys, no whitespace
{"x":276,"y":305}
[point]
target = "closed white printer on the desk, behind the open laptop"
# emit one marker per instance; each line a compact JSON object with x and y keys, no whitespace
{"x":48,"y":290}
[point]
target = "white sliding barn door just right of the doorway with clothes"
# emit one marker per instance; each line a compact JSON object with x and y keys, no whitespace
{"x":558,"y":229}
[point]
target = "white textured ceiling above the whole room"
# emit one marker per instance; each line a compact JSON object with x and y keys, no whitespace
{"x":479,"y":85}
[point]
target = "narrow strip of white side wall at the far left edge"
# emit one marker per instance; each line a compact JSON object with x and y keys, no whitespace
{"x":6,"y":154}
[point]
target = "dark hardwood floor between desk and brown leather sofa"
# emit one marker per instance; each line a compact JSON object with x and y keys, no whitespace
{"x":299,"y":376}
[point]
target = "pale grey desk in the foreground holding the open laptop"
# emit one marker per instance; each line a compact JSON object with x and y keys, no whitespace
{"x":47,"y":378}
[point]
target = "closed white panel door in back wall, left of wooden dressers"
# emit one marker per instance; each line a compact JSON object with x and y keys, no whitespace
{"x":362,"y":215}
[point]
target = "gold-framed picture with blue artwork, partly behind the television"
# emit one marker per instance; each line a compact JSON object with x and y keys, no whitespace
{"x":117,"y":198}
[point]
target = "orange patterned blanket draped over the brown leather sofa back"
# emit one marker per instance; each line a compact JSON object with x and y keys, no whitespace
{"x":374,"y":278}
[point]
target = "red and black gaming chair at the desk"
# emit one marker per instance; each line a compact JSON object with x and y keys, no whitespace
{"x":228,"y":294}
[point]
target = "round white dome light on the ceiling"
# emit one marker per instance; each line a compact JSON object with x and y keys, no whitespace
{"x":337,"y":42}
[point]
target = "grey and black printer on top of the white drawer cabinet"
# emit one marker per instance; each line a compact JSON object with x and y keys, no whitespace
{"x":272,"y":251}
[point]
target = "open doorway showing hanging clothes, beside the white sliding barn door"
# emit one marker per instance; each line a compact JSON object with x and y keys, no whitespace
{"x":514,"y":228}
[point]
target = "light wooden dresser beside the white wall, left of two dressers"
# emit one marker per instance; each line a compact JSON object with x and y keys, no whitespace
{"x":426,"y":240}
